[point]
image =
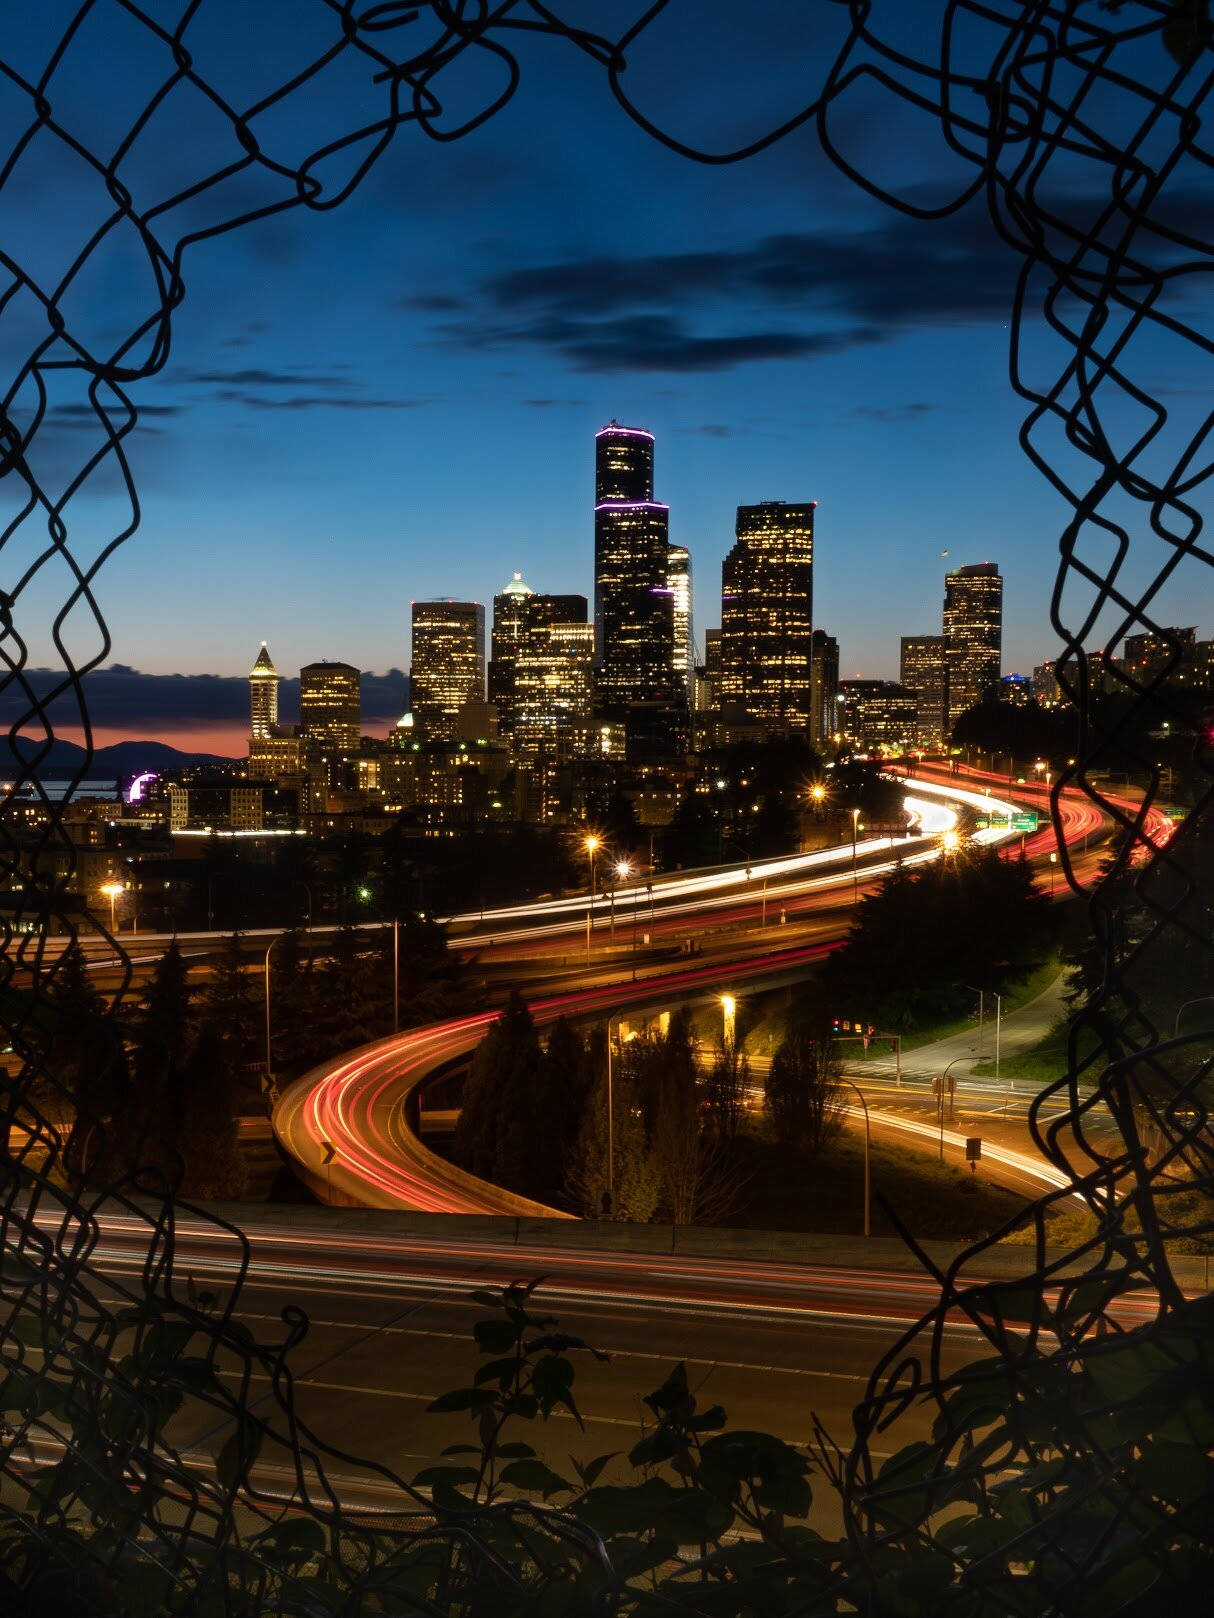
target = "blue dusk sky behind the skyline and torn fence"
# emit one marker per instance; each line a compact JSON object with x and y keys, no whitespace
{"x":397,"y":399}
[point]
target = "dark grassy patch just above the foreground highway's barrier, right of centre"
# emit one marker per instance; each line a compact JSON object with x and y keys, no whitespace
{"x":938,"y":1203}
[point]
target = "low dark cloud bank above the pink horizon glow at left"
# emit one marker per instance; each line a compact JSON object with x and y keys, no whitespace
{"x":125,"y":700}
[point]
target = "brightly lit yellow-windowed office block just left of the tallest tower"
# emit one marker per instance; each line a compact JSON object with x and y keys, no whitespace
{"x":554,"y":690}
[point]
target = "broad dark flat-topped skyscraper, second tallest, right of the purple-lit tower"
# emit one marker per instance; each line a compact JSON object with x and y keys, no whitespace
{"x":766,"y":616}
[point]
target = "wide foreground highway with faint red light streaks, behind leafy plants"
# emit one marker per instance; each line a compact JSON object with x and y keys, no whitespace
{"x":391,"y":1329}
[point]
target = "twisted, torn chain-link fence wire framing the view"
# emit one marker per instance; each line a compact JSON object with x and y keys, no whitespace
{"x":1025,"y":96}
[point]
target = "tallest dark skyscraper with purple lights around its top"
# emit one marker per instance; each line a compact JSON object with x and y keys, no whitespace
{"x":634,"y":614}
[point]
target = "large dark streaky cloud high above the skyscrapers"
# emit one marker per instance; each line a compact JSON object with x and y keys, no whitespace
{"x":786,"y":297}
